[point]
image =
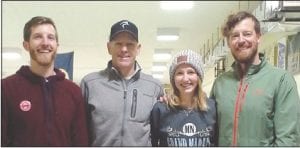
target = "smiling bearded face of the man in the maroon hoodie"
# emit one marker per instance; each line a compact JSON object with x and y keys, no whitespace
{"x":42,"y":45}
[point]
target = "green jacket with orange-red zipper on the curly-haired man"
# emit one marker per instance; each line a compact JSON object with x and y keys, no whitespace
{"x":262,"y":109}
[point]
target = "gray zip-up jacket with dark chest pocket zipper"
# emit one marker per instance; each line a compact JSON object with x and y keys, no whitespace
{"x":119,"y":110}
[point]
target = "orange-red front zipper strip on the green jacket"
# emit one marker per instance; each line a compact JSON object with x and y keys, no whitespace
{"x":240,"y":99}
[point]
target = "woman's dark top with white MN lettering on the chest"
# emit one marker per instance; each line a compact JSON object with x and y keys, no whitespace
{"x":180,"y":127}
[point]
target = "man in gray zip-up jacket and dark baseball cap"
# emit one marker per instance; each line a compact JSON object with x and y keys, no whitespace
{"x":121,"y":97}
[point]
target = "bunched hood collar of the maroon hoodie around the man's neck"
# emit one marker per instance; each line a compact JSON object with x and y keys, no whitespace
{"x":27,"y":73}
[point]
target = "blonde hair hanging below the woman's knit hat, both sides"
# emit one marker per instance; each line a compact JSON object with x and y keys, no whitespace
{"x":200,"y":98}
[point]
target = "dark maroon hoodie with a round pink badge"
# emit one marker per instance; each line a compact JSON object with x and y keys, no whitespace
{"x":42,"y":112}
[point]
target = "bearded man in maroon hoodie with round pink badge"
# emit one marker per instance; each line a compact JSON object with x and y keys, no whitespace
{"x":39,"y":107}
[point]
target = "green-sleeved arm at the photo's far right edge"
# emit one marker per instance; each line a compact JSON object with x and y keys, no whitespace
{"x":287,"y":113}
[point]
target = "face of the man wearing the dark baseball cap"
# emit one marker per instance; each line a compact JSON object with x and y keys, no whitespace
{"x":123,"y":49}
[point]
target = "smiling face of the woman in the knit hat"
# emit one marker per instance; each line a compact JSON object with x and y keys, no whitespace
{"x":186,"y":79}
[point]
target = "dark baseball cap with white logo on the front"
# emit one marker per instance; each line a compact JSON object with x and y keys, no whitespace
{"x":123,"y":26}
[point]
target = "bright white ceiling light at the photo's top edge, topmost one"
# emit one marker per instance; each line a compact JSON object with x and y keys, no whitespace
{"x":176,"y":5}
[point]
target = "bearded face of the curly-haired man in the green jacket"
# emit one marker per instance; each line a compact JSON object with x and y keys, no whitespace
{"x":243,"y":41}
